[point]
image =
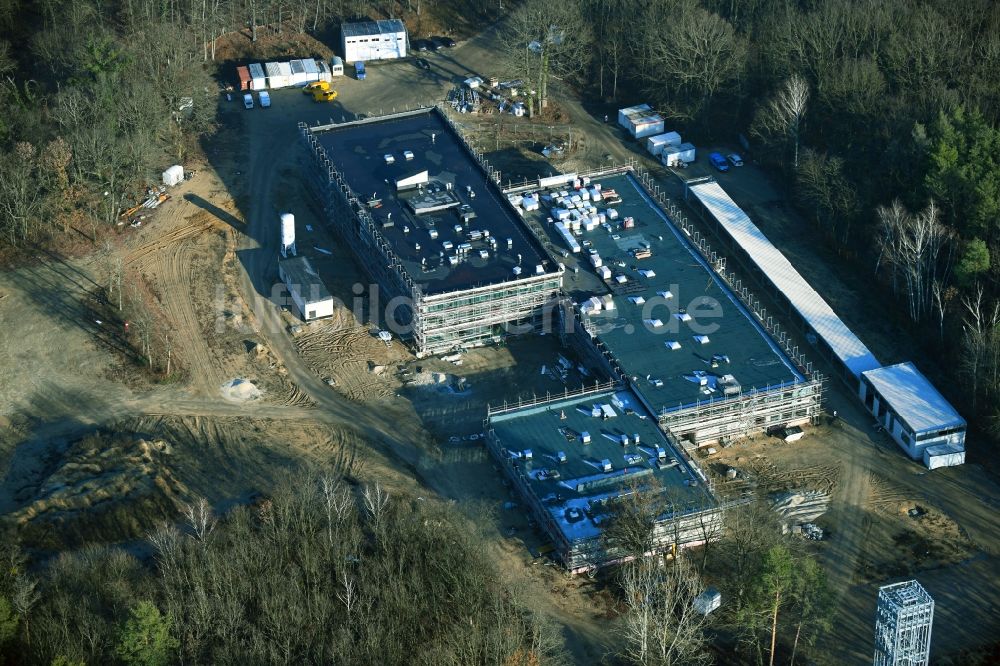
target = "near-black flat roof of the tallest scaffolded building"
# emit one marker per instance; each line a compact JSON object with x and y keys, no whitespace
{"x":358,"y":152}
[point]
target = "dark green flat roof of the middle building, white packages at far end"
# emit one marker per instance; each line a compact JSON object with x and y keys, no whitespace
{"x":672,"y":281}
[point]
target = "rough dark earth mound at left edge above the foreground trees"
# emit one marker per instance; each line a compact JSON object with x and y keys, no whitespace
{"x":101,"y":486}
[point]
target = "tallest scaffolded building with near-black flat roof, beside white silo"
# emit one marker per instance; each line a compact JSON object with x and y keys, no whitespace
{"x":453,"y":261}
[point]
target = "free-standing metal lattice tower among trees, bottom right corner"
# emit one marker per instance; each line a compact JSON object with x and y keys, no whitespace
{"x":903,"y":622}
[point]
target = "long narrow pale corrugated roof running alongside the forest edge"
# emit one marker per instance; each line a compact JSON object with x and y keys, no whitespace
{"x":779,"y":270}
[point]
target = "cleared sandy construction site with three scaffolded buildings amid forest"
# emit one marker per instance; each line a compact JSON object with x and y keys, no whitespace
{"x":550,"y":348}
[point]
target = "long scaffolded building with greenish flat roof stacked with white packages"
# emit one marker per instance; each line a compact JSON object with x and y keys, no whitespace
{"x":655,"y":308}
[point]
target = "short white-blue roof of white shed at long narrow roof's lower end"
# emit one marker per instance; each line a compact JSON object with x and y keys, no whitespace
{"x":914,"y":398}
